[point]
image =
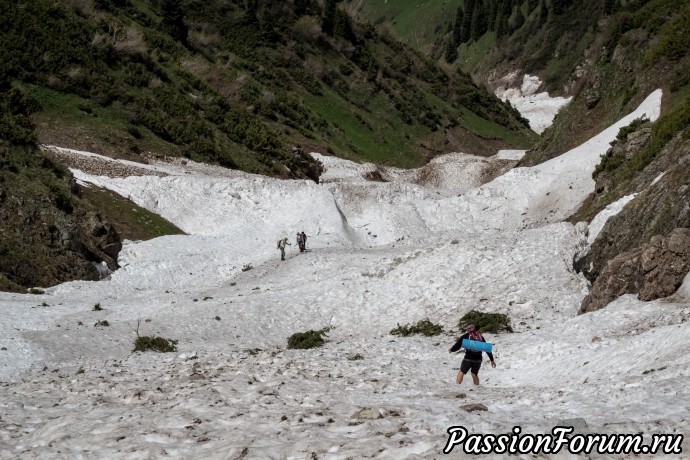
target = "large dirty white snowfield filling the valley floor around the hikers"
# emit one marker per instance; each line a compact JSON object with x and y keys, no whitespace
{"x":386,"y":247}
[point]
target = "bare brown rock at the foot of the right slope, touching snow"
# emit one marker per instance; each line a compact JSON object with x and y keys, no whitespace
{"x":654,"y":271}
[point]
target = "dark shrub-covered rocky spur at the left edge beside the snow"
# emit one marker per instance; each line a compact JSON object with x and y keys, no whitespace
{"x":49,"y":234}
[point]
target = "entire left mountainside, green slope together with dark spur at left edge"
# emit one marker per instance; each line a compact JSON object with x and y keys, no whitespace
{"x":247,"y":85}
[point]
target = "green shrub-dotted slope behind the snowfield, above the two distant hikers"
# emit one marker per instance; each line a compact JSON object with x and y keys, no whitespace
{"x":241,"y":92}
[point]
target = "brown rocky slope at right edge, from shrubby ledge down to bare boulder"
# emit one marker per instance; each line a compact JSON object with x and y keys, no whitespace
{"x":642,"y":250}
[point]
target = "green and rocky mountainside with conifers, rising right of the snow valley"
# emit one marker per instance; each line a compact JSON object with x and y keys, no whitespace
{"x":608,"y":56}
